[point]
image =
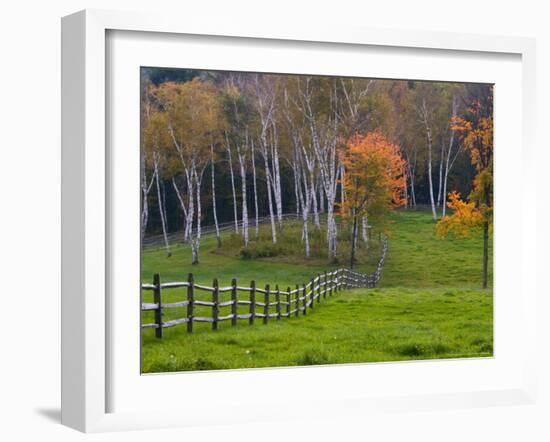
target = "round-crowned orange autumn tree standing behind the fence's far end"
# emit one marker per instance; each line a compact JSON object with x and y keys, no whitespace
{"x":374,"y":180}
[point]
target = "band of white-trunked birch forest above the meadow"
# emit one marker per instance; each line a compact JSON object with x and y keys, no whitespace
{"x":223,"y":147}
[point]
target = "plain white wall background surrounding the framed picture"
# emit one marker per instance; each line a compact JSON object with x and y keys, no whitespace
{"x":30,"y":215}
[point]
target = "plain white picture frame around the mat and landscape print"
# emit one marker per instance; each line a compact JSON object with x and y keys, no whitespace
{"x":86,"y":315}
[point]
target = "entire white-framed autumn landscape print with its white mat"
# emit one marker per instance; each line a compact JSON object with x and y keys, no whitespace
{"x":250,"y":213}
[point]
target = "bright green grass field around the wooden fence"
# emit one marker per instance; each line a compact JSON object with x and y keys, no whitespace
{"x":429,"y":304}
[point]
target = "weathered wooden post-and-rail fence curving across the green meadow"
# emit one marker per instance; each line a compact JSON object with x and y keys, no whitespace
{"x":299,"y":300}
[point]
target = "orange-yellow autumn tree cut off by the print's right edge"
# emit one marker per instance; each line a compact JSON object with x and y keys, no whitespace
{"x":476,"y":133}
